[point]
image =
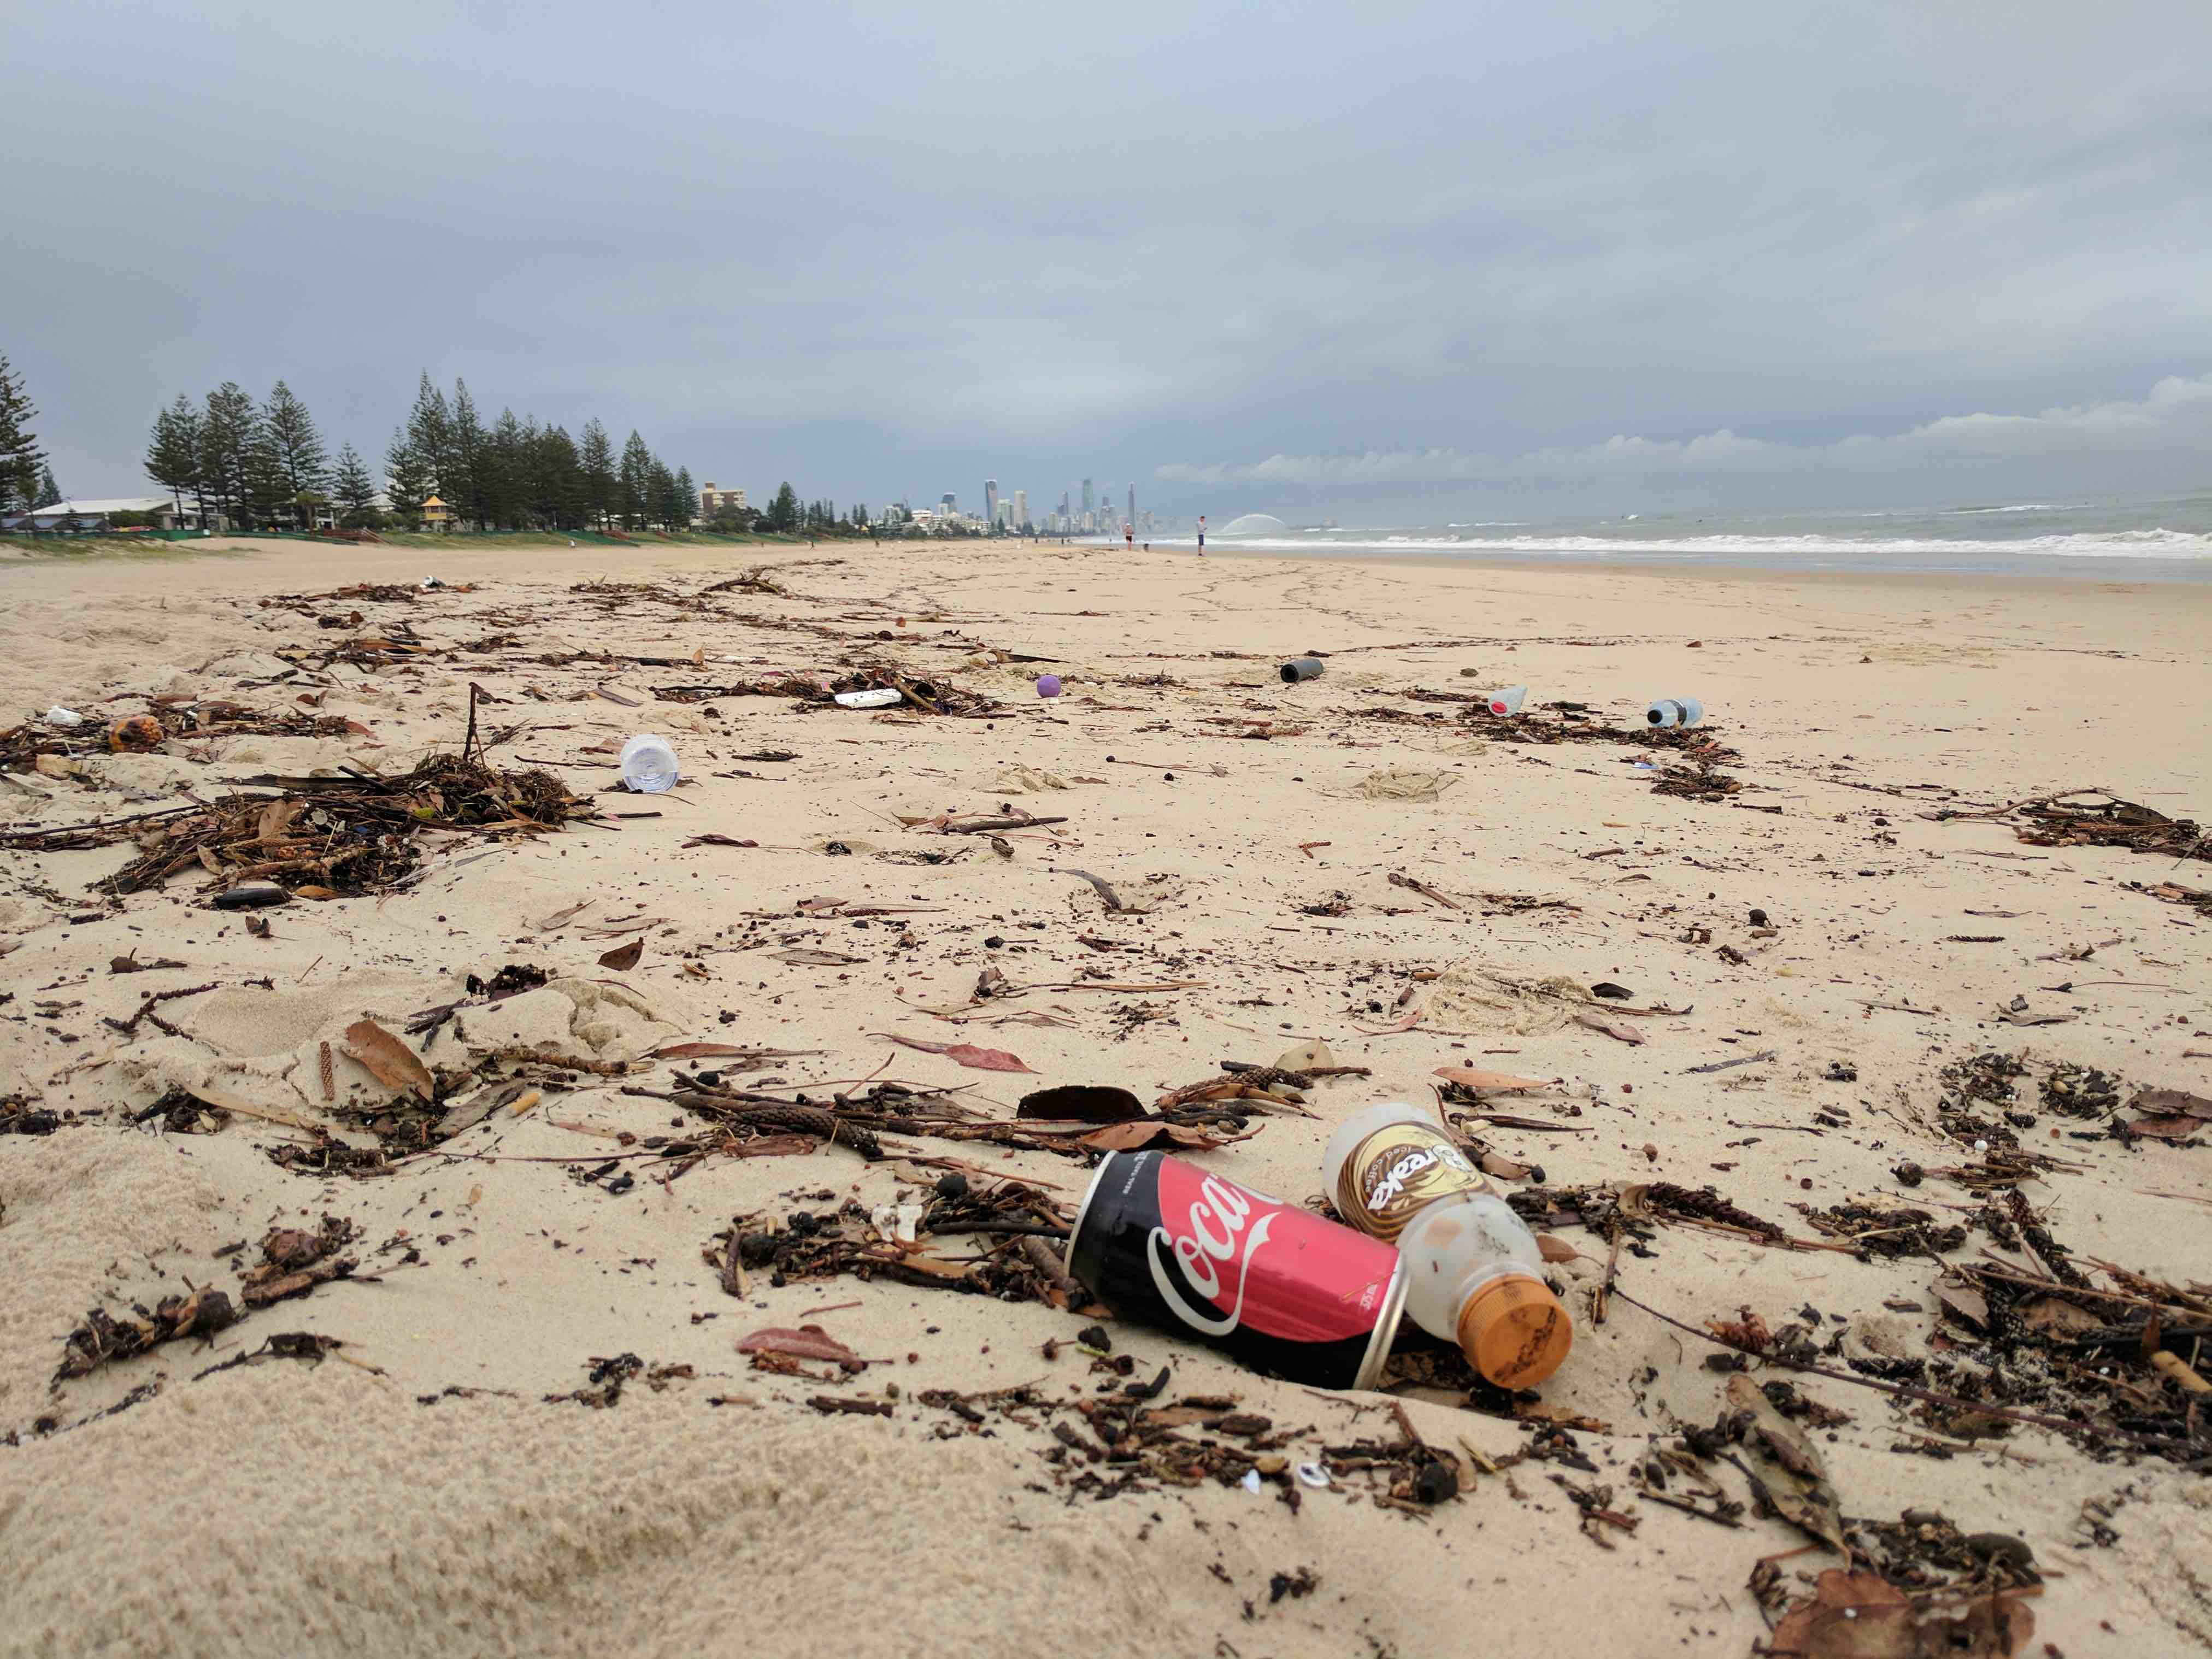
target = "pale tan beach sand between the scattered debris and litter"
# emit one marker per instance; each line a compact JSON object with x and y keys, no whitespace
{"x":419,"y":1494}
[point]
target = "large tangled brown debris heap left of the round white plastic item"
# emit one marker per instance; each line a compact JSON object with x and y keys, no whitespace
{"x":328,"y":837}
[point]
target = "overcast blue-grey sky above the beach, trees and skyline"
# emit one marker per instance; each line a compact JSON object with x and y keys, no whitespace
{"x":1381,"y":260}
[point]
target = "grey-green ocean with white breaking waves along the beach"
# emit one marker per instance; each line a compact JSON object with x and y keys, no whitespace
{"x":2138,"y":539}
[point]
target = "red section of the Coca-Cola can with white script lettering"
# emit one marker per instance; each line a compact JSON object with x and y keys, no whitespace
{"x":1227,"y":1260}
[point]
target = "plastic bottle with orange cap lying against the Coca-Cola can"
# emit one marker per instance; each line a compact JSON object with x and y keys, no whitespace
{"x":1474,"y":1271}
